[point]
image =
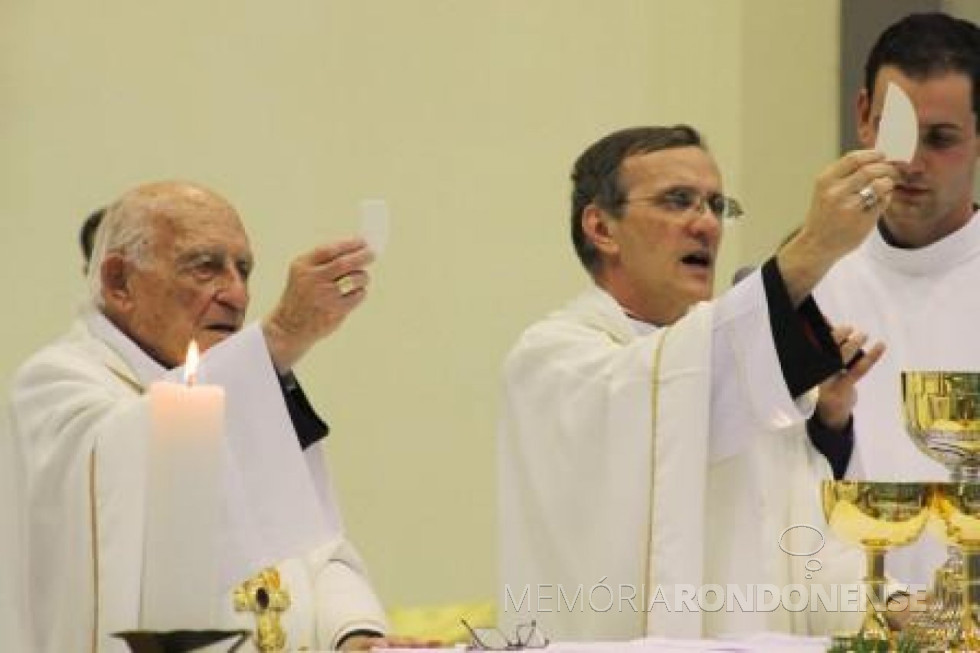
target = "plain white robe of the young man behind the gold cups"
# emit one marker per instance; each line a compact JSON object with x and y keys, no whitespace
{"x":923,"y":304}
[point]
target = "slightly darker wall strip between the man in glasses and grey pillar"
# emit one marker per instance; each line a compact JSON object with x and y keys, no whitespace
{"x":790,"y":78}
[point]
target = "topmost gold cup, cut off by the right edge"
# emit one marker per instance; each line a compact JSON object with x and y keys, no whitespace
{"x":942,"y":415}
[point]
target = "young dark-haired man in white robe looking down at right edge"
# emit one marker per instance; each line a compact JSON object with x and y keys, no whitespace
{"x":912,"y":283}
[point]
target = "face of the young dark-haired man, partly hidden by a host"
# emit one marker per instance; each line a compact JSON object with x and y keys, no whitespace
{"x":935,"y":194}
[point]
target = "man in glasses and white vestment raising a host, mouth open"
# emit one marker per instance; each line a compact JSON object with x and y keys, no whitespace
{"x":646,"y":441}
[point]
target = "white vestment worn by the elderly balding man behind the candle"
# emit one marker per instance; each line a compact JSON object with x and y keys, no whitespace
{"x":81,"y":422}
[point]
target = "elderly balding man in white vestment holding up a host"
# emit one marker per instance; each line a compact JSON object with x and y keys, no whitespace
{"x":171,"y":264}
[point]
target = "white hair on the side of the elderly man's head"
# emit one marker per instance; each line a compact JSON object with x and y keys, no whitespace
{"x":126,"y":229}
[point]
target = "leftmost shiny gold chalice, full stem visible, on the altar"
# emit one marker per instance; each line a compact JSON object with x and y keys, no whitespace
{"x":877,"y":517}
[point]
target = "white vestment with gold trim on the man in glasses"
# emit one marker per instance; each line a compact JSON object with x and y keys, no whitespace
{"x":597,"y":491}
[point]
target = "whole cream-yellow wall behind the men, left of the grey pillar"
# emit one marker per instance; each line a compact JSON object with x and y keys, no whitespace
{"x":466,"y":117}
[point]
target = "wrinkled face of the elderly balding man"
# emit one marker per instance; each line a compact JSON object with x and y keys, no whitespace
{"x":195,"y":285}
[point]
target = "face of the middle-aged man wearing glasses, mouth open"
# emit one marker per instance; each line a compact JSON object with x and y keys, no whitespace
{"x":664,"y":257}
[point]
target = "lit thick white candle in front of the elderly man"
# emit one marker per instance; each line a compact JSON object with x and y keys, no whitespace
{"x":180,"y":563}
